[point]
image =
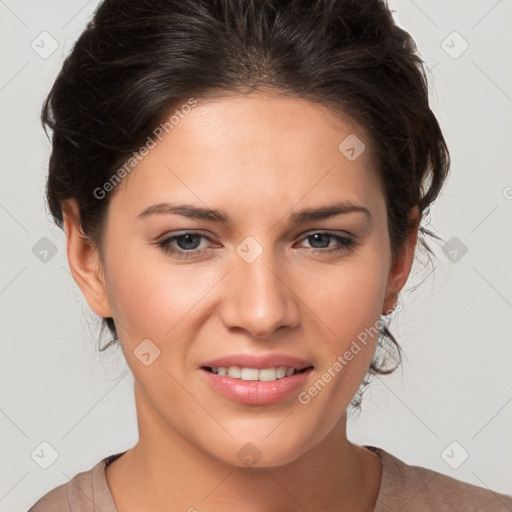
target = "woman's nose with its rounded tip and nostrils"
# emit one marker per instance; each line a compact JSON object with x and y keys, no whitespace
{"x":260,"y":298}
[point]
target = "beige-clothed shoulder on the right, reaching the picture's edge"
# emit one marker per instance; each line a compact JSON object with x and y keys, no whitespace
{"x":413,"y":488}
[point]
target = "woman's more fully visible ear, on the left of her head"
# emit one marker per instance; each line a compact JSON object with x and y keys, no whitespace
{"x":84,"y":261}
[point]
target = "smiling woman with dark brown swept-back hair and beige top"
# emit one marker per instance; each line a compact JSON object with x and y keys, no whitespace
{"x":242,"y":185}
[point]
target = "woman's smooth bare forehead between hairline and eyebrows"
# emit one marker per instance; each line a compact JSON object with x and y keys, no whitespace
{"x":258,"y":147}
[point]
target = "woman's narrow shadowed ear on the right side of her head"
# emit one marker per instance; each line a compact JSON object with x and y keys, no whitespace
{"x":401,"y":265}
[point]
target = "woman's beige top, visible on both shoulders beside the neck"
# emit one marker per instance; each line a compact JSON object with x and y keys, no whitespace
{"x":403,"y":488}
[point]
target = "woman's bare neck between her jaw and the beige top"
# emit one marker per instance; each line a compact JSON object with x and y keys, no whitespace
{"x":166,"y":468}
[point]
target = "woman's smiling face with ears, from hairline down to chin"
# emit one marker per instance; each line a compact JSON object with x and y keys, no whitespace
{"x":268,"y":280}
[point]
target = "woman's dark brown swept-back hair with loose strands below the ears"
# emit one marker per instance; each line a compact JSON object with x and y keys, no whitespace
{"x":136,"y":60}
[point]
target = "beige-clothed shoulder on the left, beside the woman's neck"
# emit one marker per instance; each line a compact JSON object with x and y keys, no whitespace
{"x":86,"y":491}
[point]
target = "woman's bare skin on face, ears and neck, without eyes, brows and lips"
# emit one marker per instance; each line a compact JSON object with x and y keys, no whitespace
{"x":258,"y":158}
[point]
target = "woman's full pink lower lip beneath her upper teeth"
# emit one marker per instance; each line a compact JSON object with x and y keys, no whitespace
{"x":256,"y":392}
